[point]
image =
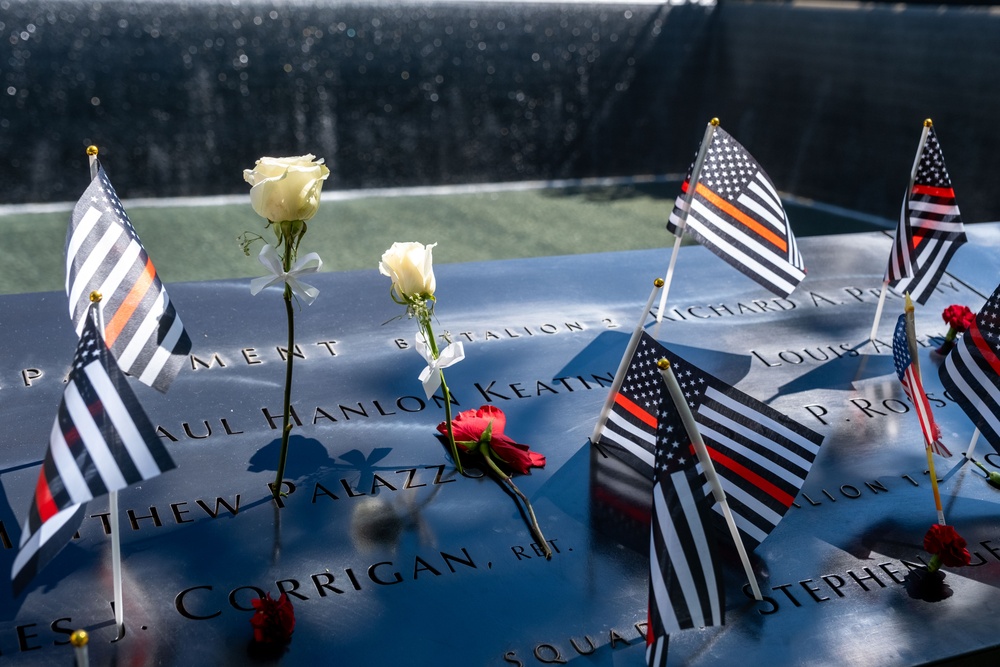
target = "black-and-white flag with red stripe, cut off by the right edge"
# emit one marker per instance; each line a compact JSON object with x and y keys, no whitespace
{"x":971,"y":371}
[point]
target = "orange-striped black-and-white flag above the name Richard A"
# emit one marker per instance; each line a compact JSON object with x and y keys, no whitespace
{"x":736,"y":213}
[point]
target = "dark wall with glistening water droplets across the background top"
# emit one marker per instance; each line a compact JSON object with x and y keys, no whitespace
{"x":181,"y":96}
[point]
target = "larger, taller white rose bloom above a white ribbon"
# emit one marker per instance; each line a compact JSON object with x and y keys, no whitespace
{"x":286,"y":188}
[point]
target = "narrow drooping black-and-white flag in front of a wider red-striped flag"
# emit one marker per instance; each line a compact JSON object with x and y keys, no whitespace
{"x":685,"y":586}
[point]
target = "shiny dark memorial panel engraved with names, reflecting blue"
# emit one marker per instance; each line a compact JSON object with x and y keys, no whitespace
{"x":399,"y":561}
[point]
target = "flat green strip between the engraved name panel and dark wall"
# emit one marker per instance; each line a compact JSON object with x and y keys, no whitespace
{"x":201,"y":242}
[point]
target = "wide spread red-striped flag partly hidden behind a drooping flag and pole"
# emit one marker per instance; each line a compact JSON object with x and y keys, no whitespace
{"x":762,"y":457}
